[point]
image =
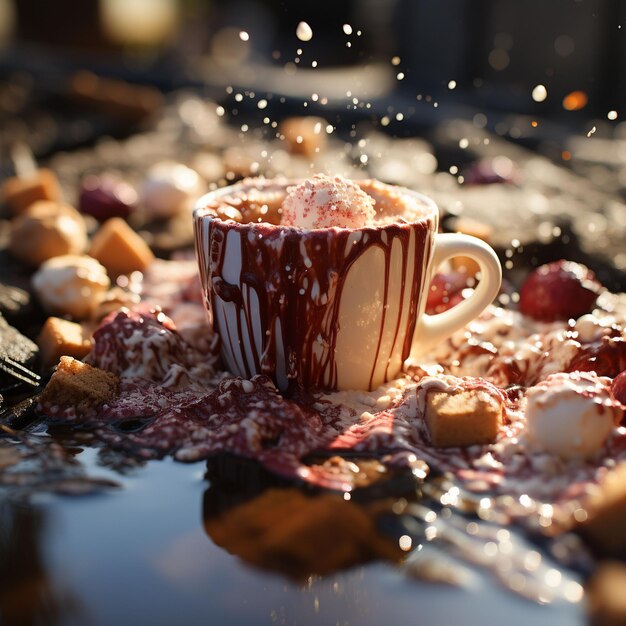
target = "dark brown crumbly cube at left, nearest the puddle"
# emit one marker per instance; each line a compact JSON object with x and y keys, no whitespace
{"x":79,"y":385}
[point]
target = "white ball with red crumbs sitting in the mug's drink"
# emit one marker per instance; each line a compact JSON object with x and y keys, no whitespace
{"x":324,"y":202}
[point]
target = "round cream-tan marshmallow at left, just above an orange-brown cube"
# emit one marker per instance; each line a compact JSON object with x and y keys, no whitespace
{"x":71,"y":285}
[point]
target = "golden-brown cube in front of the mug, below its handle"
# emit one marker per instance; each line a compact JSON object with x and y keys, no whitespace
{"x":464,"y":418}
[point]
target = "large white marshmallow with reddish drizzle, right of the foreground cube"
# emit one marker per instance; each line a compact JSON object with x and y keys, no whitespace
{"x":571,"y":415}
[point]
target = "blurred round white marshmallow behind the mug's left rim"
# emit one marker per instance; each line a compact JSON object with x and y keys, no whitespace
{"x":170,"y":188}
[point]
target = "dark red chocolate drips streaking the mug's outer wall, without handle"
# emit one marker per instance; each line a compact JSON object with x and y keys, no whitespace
{"x":276,"y":294}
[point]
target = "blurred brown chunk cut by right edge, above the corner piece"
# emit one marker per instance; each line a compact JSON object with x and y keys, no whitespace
{"x":604,"y":526}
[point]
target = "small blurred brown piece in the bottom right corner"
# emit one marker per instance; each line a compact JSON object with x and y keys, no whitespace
{"x":606,"y":597}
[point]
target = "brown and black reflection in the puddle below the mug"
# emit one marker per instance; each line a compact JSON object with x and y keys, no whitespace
{"x":287,"y":530}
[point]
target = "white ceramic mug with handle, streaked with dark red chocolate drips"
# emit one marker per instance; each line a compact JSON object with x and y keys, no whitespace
{"x":331,"y":308}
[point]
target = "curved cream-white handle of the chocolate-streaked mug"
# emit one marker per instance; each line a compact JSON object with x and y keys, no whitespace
{"x":433,"y":328}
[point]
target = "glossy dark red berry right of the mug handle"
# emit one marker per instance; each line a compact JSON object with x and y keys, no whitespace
{"x":559,"y":291}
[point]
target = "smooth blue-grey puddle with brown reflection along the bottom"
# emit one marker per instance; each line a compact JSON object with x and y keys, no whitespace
{"x":173,"y":546}
